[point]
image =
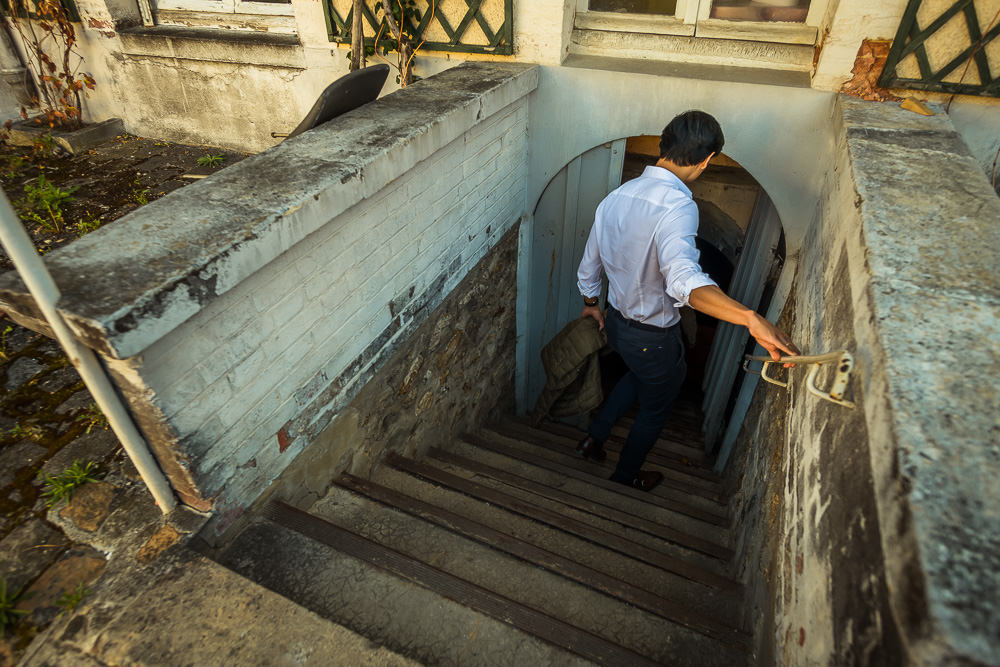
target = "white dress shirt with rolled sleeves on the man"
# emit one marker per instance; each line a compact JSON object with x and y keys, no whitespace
{"x":643,"y":240}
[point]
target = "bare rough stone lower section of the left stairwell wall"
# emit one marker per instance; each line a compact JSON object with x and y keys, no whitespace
{"x":455,"y":371}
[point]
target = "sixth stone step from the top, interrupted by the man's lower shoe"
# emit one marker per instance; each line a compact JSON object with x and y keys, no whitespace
{"x":558,"y":450}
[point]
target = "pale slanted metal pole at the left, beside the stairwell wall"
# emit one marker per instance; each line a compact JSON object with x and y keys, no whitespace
{"x":46,"y":294}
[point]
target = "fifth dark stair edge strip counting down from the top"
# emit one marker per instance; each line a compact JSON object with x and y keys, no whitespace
{"x":591,"y":473}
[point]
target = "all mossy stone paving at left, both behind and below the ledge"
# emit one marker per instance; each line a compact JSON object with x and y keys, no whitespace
{"x":48,"y":420}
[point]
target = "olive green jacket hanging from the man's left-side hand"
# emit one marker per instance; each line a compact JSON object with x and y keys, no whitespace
{"x":572,"y":371}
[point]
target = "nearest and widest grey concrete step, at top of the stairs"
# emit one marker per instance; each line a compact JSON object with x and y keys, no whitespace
{"x":399,"y":612}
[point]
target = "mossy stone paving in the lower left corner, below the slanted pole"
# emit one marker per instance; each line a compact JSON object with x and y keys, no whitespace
{"x":48,"y":421}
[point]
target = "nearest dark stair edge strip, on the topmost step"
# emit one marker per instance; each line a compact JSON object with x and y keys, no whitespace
{"x":526,"y":619}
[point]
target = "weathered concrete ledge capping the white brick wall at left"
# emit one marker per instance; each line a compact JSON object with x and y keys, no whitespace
{"x":128,"y":284}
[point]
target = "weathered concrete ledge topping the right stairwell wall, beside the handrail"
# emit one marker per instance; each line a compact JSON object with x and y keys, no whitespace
{"x":929,"y":222}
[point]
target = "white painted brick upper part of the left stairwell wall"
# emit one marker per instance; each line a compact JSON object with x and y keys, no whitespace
{"x":254,"y":360}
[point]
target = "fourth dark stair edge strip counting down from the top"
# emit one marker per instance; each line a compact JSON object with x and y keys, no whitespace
{"x":660,"y":531}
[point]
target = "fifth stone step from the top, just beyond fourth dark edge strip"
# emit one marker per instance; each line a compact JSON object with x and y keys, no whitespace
{"x":603,"y":492}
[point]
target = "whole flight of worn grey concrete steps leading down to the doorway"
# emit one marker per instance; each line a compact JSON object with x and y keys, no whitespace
{"x":505,"y":548}
